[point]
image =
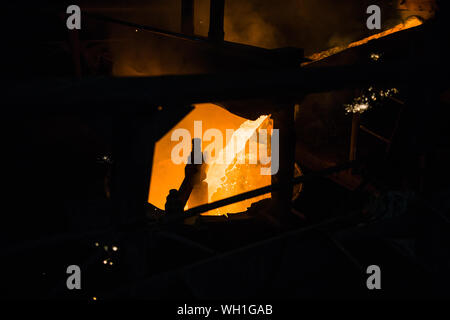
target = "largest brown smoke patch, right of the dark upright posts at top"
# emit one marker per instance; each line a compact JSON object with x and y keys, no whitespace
{"x":310,"y":24}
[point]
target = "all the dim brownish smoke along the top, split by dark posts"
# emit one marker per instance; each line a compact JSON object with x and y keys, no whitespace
{"x":313,"y":25}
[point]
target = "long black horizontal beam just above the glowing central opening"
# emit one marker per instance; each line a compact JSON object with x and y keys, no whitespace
{"x":133,"y":94}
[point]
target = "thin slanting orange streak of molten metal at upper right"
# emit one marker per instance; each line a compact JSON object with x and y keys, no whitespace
{"x":410,"y":23}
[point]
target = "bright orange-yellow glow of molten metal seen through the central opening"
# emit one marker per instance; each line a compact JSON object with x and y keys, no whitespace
{"x":224,"y":180}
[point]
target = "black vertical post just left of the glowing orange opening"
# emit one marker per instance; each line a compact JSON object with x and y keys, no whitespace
{"x":132,"y":155}
